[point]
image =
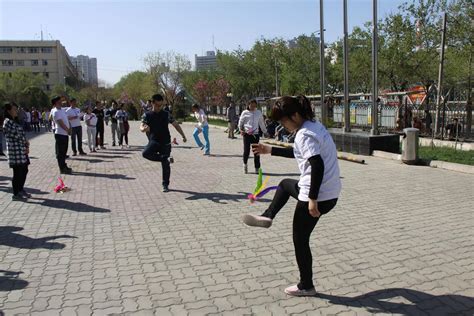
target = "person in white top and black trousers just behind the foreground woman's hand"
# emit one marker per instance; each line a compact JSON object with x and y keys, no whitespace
{"x":250,"y":123}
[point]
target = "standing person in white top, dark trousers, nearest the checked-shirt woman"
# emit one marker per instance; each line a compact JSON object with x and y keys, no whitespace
{"x":61,"y":134}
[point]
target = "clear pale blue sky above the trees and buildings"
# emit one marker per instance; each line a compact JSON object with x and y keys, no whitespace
{"x":120,"y":33}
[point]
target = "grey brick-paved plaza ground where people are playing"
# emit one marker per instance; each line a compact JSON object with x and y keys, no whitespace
{"x":400,"y":241}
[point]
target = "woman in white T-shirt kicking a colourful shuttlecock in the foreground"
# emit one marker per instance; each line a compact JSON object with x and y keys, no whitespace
{"x":316,"y":191}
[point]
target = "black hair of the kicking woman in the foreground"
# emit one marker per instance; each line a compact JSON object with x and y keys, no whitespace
{"x":287,"y":106}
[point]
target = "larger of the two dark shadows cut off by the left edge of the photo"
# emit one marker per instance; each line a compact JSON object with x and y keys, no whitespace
{"x":9,"y":238}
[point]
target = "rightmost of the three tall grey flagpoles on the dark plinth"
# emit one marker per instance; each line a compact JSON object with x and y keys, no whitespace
{"x":374,"y":130}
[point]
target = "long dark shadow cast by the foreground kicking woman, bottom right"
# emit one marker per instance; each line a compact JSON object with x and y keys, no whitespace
{"x":384,"y":301}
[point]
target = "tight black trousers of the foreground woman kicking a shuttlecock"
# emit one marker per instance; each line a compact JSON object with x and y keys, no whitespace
{"x":303,"y":225}
